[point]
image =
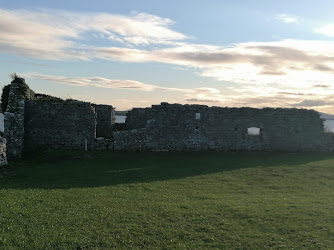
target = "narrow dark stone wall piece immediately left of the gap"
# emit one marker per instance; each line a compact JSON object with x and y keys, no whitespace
{"x":104,"y":120}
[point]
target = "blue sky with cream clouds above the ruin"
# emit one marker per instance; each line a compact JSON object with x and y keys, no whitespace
{"x":260,"y":53}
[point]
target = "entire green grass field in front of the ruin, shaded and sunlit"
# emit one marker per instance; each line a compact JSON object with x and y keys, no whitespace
{"x":104,"y":200}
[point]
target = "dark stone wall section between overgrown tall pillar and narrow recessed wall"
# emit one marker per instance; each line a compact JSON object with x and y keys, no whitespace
{"x":59,"y":125}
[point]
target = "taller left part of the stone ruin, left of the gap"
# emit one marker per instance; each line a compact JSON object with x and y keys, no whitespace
{"x":38,"y":122}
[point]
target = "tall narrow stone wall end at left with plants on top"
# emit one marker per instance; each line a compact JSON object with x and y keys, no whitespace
{"x":14,"y":116}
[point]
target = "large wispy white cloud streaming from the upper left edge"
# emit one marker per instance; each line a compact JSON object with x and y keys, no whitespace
{"x":60,"y":35}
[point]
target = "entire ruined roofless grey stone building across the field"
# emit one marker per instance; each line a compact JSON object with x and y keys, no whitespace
{"x":36,"y":122}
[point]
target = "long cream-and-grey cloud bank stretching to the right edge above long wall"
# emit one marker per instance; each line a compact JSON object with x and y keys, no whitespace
{"x":287,"y":62}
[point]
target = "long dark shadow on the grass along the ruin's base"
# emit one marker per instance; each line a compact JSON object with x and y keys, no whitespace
{"x":63,"y":170}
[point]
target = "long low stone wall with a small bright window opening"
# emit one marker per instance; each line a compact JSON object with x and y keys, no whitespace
{"x":198,"y":127}
